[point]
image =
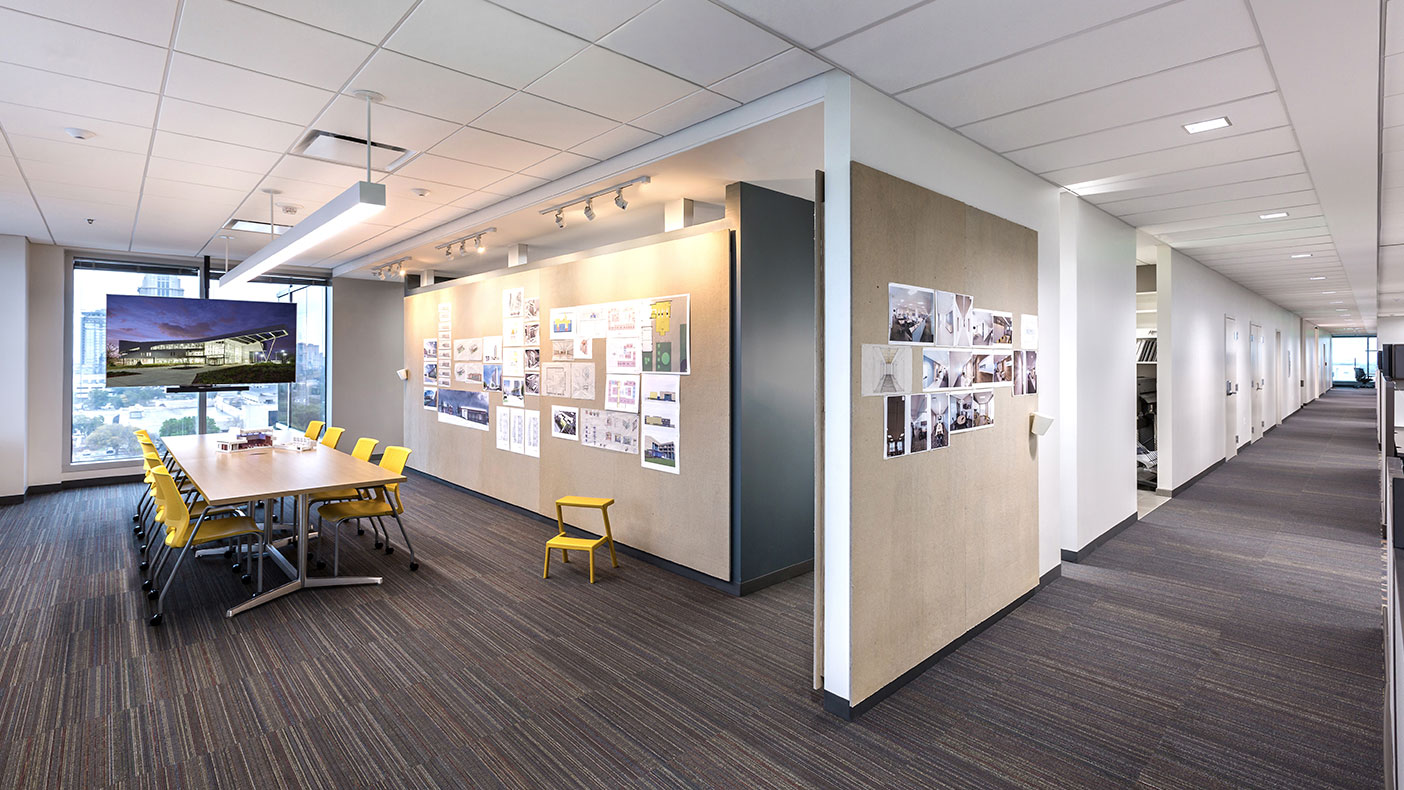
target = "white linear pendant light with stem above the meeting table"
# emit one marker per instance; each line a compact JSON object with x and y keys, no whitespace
{"x":362,"y":201}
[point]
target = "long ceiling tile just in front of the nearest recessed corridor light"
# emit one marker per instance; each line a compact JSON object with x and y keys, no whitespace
{"x":1201,"y":85}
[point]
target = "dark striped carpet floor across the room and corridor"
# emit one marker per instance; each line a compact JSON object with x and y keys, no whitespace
{"x":1229,"y":641}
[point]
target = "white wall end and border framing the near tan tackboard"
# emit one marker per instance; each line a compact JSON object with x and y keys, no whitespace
{"x":863,"y":126}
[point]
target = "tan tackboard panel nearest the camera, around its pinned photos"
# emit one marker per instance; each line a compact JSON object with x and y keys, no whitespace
{"x":944,"y":540}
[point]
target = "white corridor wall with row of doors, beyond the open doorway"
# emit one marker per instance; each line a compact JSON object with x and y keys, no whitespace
{"x":1193,"y":312}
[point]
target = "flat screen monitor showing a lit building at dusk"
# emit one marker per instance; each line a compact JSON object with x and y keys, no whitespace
{"x":165,"y":342}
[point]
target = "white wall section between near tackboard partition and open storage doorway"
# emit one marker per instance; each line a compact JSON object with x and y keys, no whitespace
{"x":1099,"y":373}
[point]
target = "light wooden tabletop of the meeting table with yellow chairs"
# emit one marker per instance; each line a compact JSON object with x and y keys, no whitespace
{"x":270,"y":474}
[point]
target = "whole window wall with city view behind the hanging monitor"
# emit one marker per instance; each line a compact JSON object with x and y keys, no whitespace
{"x":103,"y":417}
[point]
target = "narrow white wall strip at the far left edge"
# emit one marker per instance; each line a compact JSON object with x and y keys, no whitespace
{"x":15,"y":316}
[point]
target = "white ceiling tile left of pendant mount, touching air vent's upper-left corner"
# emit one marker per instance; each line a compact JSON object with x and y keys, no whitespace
{"x":220,"y":85}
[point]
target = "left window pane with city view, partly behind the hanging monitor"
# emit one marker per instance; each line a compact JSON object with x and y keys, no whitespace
{"x":103,"y":417}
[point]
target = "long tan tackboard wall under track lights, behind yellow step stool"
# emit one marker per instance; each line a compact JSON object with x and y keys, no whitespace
{"x":684,"y":518}
